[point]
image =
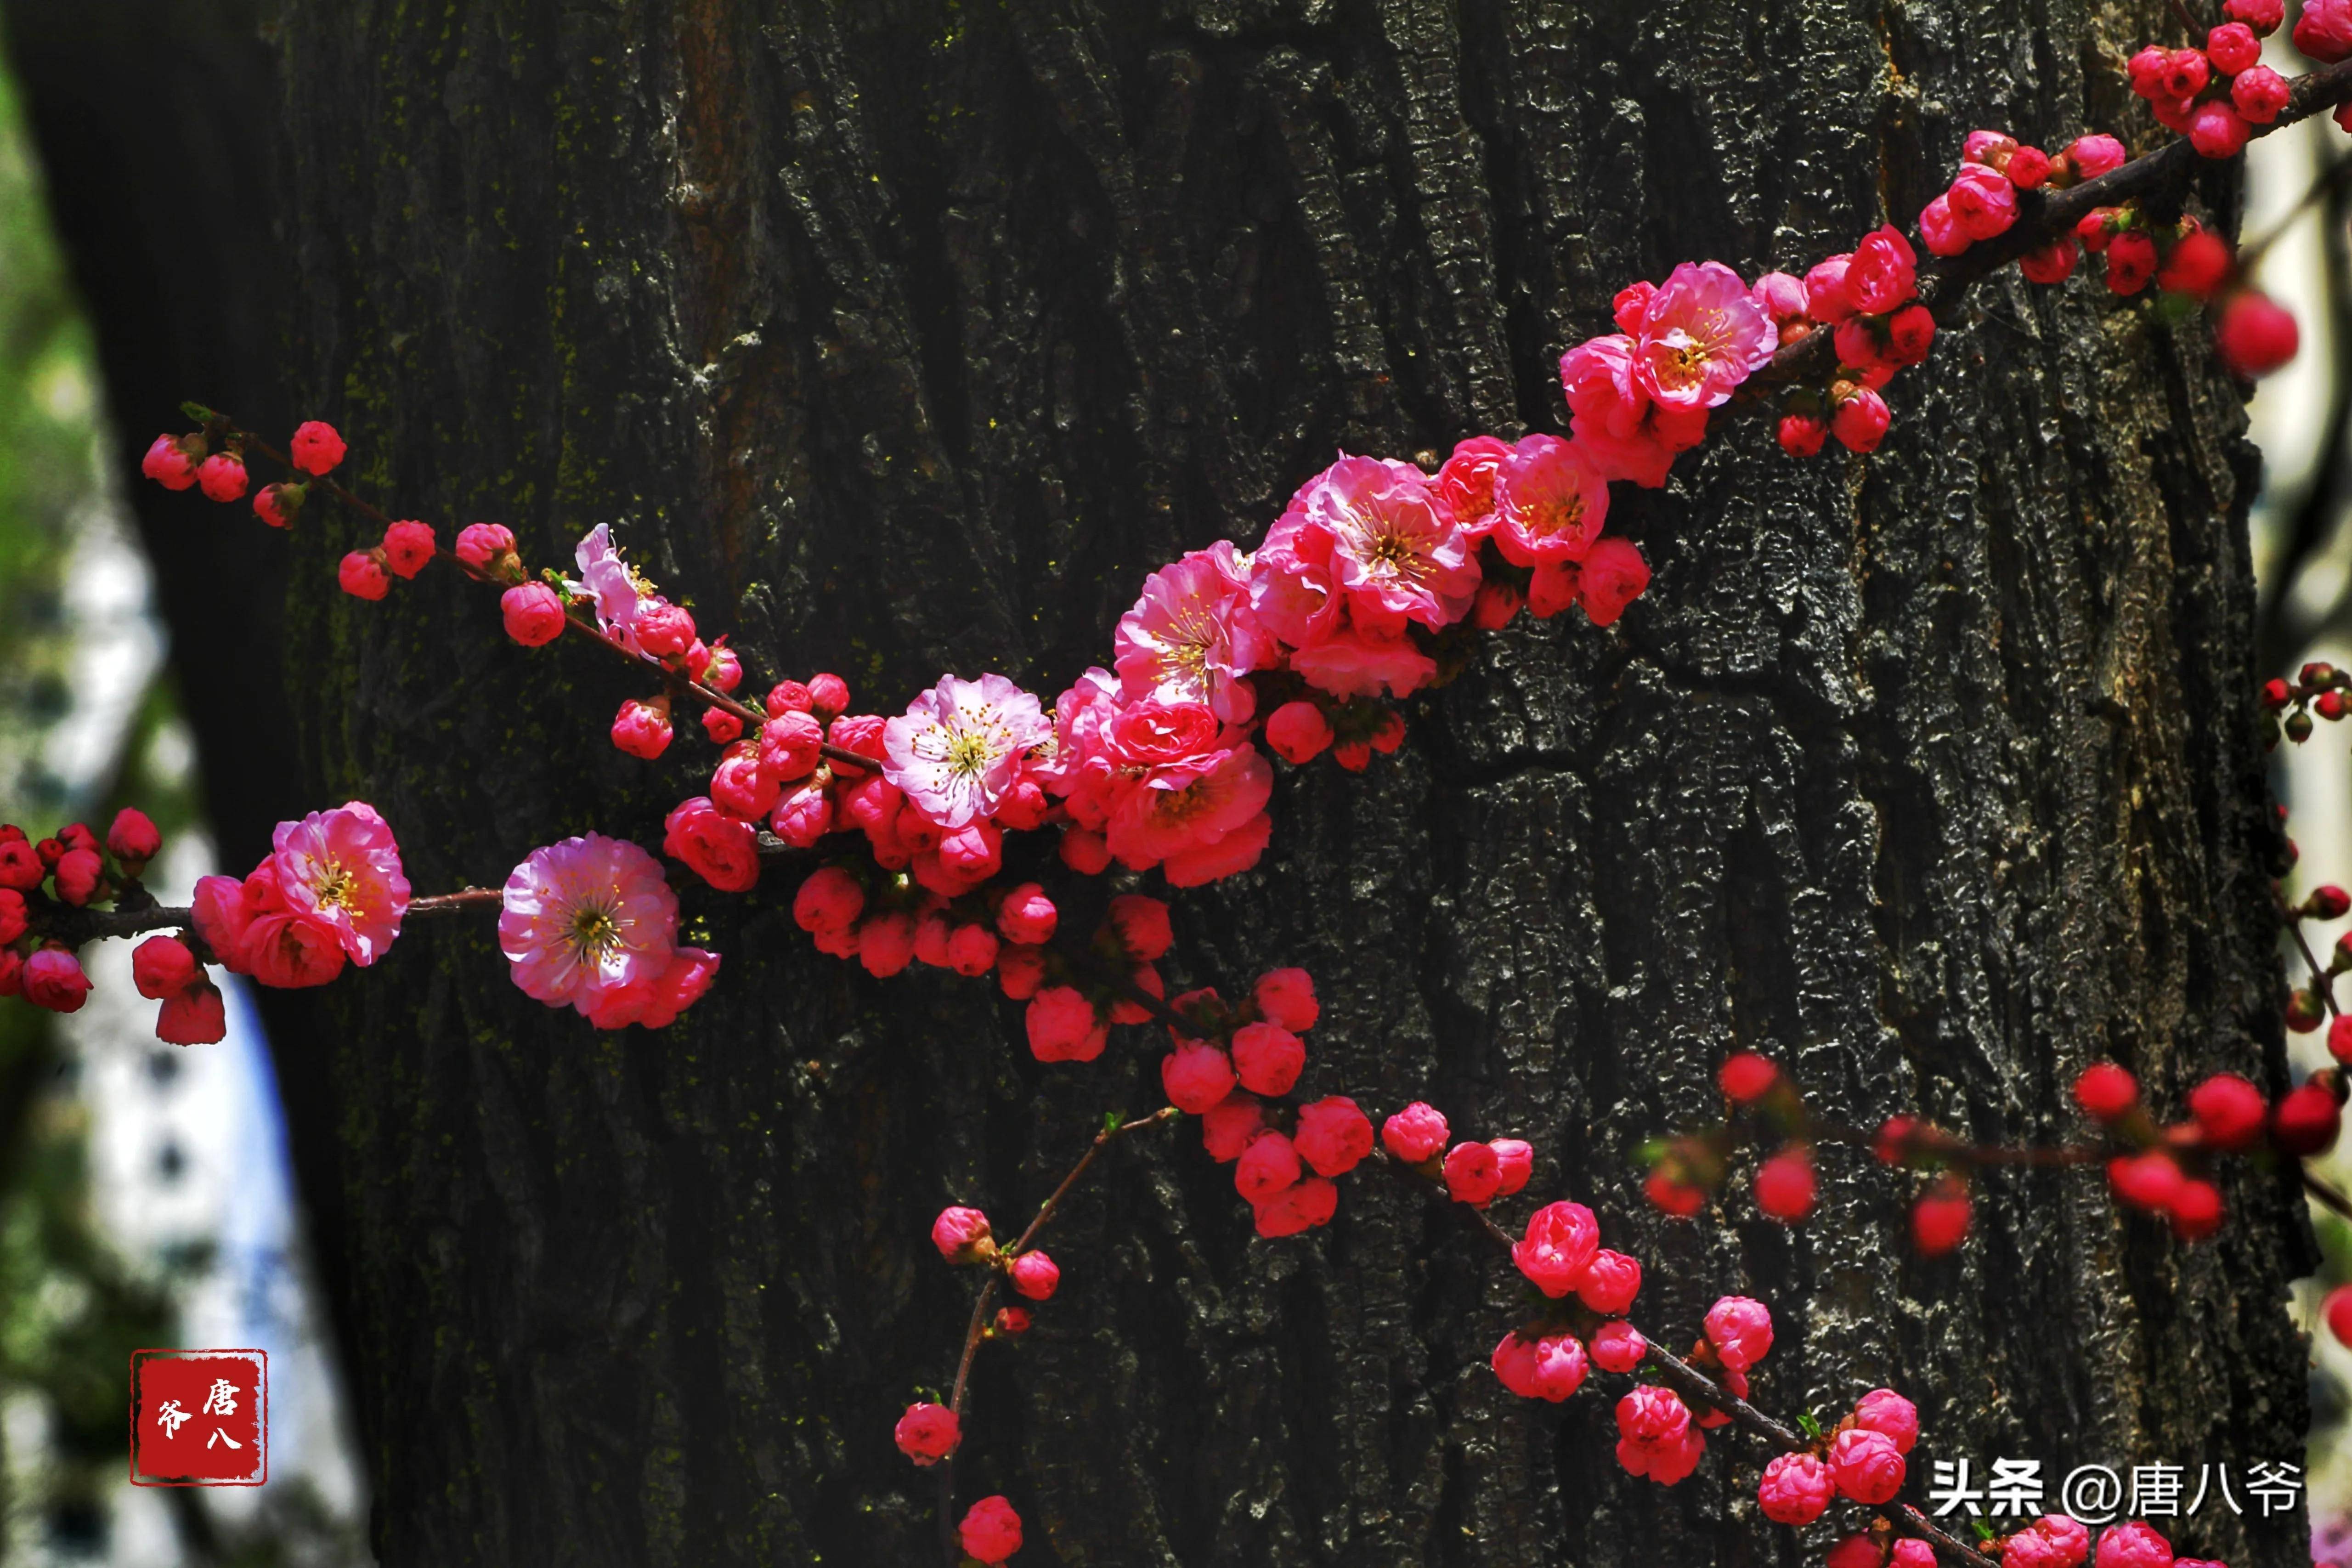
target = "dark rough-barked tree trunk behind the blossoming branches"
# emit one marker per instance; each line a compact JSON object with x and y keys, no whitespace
{"x":907,"y":340}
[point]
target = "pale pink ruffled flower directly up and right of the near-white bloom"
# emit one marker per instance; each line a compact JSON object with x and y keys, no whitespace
{"x":1194,"y":636}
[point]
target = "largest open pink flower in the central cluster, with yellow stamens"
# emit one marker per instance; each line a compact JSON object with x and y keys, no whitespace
{"x":1396,"y":549}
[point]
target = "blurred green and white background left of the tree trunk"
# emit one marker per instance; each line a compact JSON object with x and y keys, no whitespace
{"x":145,"y":1191}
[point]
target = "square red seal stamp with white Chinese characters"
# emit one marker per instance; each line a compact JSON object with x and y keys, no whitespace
{"x":201,"y":1416}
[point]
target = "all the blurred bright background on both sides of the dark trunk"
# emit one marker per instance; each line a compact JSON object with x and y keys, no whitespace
{"x":147,"y":1195}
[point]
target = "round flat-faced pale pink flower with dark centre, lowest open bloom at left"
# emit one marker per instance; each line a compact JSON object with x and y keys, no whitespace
{"x":589,"y":923}
